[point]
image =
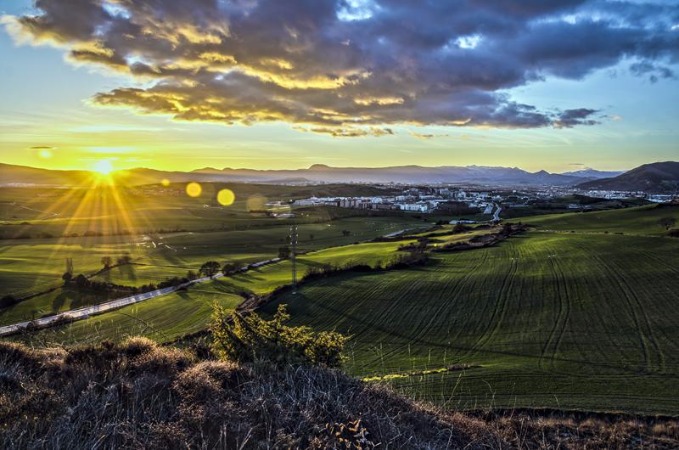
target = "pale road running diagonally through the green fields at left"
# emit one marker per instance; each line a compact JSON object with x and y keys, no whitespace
{"x":87,"y":311}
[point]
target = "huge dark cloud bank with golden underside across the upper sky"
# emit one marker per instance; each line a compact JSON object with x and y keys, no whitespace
{"x":354,"y":67}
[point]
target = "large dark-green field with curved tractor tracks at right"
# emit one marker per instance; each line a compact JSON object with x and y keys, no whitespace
{"x":563,"y":321}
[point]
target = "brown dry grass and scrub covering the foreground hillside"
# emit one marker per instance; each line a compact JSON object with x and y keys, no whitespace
{"x":140,"y":395}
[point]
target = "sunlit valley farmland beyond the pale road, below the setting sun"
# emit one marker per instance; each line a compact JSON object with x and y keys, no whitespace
{"x":161,"y":230}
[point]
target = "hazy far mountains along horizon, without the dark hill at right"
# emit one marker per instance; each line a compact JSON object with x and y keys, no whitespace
{"x":317,"y":173}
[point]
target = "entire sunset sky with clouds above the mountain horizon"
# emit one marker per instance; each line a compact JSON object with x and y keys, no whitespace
{"x":267,"y":84}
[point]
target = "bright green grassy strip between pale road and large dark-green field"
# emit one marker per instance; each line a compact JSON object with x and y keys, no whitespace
{"x":165,"y":318}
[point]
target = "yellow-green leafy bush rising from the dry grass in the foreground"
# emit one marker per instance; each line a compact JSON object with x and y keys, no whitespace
{"x":250,"y":338}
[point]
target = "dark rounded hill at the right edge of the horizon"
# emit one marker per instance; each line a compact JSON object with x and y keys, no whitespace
{"x":660,"y":177}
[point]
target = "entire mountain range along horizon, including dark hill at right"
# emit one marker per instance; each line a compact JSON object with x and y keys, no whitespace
{"x":652,"y":177}
